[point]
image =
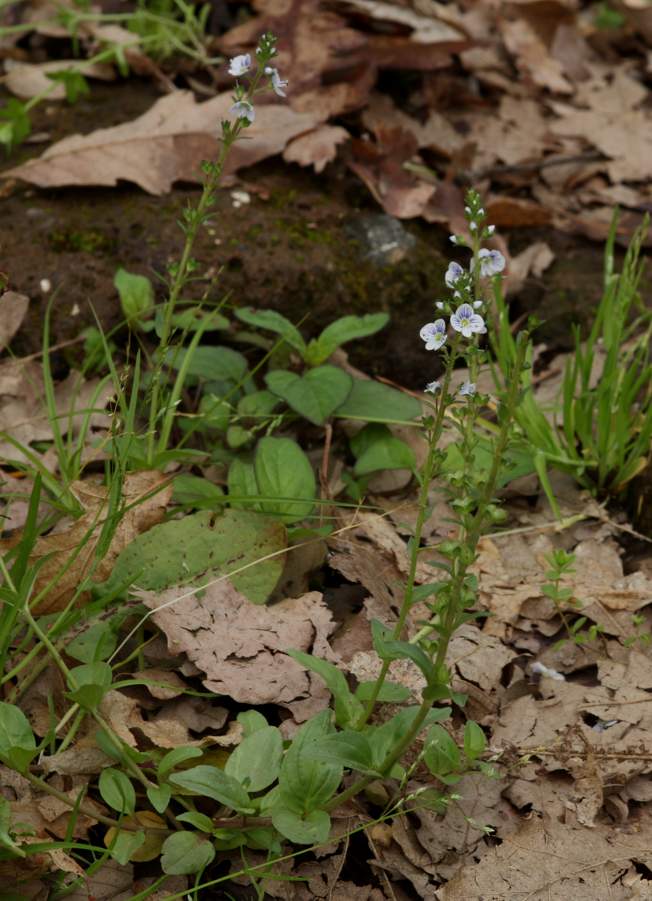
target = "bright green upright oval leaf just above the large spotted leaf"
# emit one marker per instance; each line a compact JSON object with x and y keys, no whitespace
{"x":285,"y":478}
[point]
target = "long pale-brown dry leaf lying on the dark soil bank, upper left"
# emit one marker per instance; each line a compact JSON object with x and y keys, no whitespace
{"x":164,"y":145}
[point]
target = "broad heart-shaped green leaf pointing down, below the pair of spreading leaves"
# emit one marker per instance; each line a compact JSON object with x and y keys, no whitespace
{"x":316,"y":394}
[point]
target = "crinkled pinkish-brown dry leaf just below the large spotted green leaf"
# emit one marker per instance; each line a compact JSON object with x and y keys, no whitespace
{"x":240,"y":646}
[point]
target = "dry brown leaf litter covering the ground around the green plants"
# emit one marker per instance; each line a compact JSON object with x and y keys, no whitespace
{"x":570,"y":809}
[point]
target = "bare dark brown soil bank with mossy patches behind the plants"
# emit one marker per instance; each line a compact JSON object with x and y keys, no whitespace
{"x":296,"y":247}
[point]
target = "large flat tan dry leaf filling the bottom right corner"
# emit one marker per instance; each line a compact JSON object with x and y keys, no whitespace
{"x":550,"y":861}
